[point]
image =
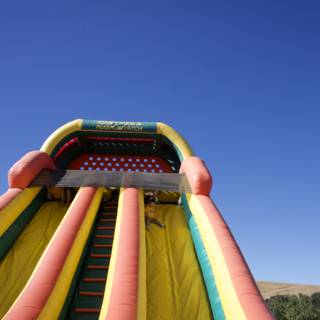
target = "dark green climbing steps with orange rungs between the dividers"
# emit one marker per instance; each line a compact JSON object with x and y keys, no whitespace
{"x":87,"y":300}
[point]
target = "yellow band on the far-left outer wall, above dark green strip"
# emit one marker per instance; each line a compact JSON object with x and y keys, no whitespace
{"x":11,"y":212}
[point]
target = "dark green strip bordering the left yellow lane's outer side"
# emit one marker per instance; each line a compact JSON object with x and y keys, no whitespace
{"x":13,"y":231}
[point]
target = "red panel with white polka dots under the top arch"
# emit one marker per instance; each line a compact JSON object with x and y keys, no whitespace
{"x":116,"y":163}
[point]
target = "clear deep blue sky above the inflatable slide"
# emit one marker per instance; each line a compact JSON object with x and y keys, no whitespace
{"x":239,"y":79}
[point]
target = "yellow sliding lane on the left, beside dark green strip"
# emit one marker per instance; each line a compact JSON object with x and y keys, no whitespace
{"x":18,"y":264}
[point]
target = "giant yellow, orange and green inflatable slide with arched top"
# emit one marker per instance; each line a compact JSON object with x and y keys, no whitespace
{"x":73,"y":236}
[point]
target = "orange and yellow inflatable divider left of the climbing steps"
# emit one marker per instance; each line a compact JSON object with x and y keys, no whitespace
{"x":47,"y":289}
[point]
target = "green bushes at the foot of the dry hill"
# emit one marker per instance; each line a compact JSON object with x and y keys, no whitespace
{"x":292,"y":307}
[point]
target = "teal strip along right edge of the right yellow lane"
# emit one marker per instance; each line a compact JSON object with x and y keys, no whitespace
{"x":208,"y":275}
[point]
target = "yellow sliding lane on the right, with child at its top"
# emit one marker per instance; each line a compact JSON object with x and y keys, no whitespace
{"x":175,"y":288}
